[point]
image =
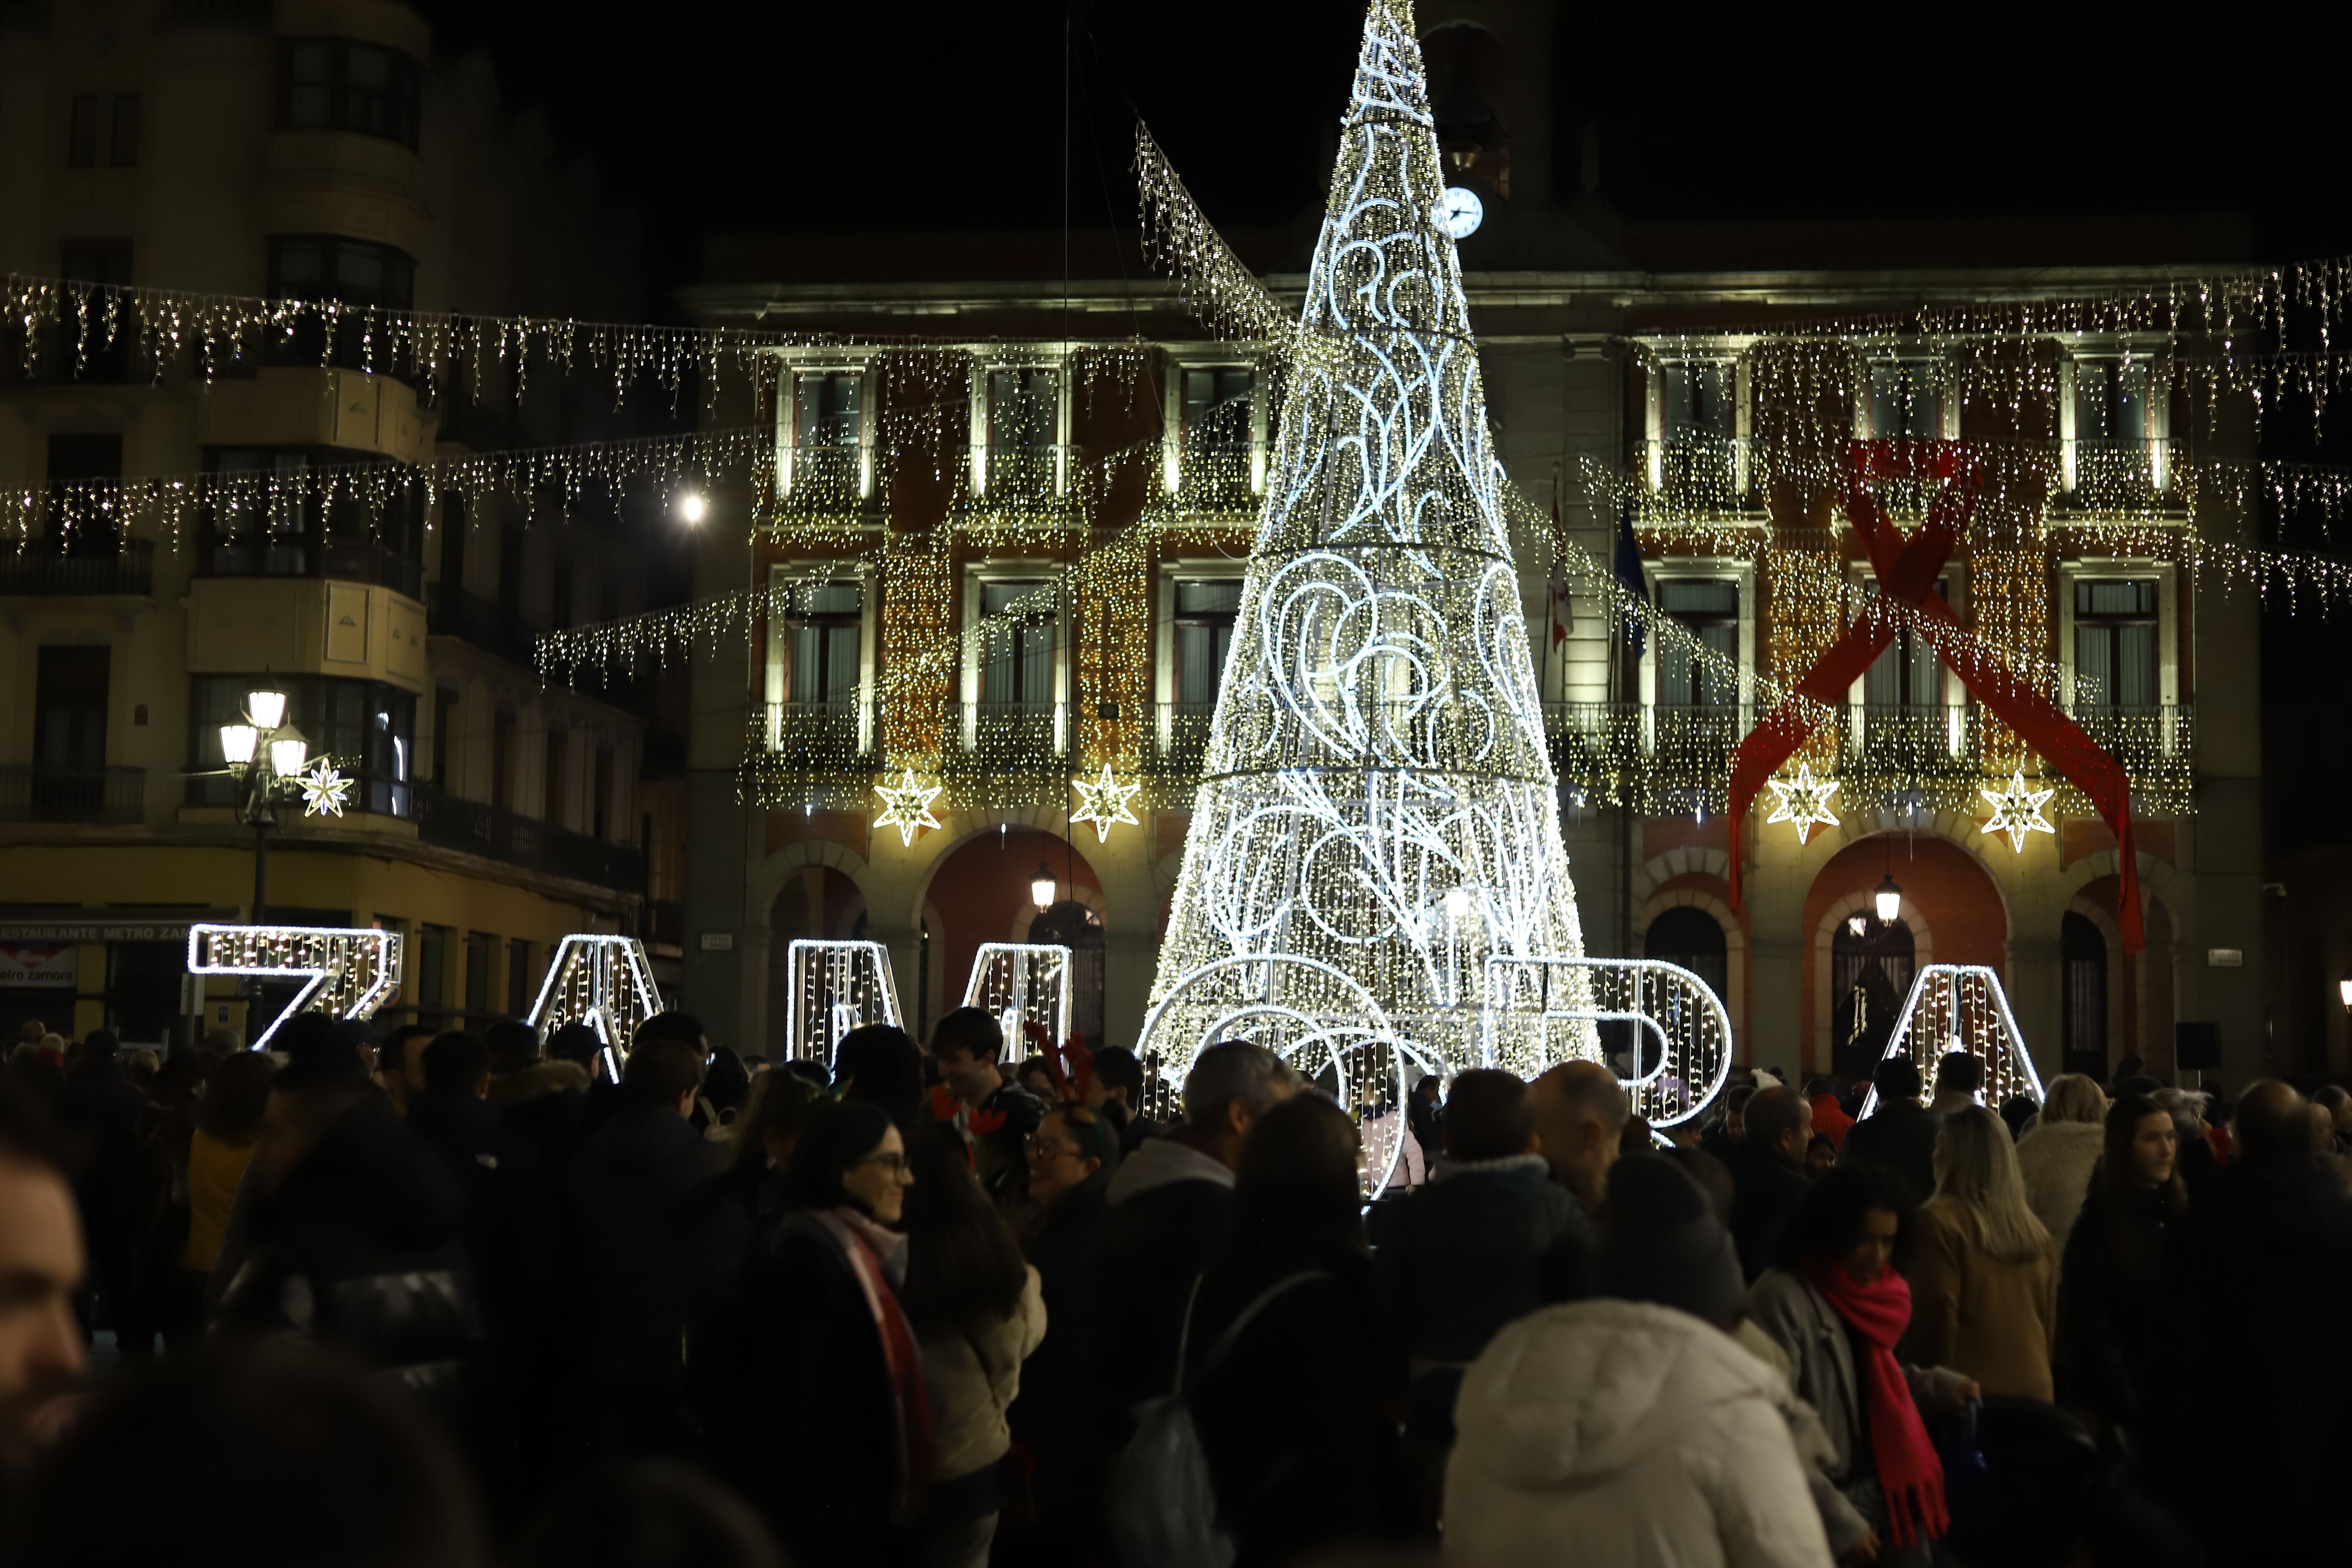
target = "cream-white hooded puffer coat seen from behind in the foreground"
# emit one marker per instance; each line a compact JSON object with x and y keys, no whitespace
{"x":1626,"y":1435}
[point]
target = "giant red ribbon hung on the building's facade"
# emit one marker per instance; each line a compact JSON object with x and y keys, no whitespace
{"x":1906,"y":572}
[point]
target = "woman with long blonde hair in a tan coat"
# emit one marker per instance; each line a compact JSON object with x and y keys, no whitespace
{"x":1984,"y":1273}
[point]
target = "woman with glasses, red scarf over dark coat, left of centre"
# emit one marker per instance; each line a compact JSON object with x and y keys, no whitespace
{"x":843,"y":1442}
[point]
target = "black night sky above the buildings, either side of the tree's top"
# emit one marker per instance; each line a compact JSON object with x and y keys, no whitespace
{"x":714,"y":116}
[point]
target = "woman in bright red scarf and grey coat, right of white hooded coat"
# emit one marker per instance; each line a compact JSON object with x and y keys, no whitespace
{"x":1838,"y":1308}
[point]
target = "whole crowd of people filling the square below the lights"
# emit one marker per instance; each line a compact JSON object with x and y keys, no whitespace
{"x":450,"y":1299}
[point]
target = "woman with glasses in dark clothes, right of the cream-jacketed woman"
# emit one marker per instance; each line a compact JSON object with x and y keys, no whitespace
{"x":1071,"y":1160}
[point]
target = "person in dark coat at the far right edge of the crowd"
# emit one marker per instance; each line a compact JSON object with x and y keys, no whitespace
{"x":2261,"y":1282}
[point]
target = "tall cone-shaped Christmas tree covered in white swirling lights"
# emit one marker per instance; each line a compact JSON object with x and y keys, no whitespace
{"x":1375,"y":866}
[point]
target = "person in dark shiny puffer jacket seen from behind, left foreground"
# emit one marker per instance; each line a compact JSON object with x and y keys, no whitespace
{"x":356,"y":1233}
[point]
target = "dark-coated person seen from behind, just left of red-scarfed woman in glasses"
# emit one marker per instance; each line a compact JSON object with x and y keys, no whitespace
{"x":650,"y":1249}
